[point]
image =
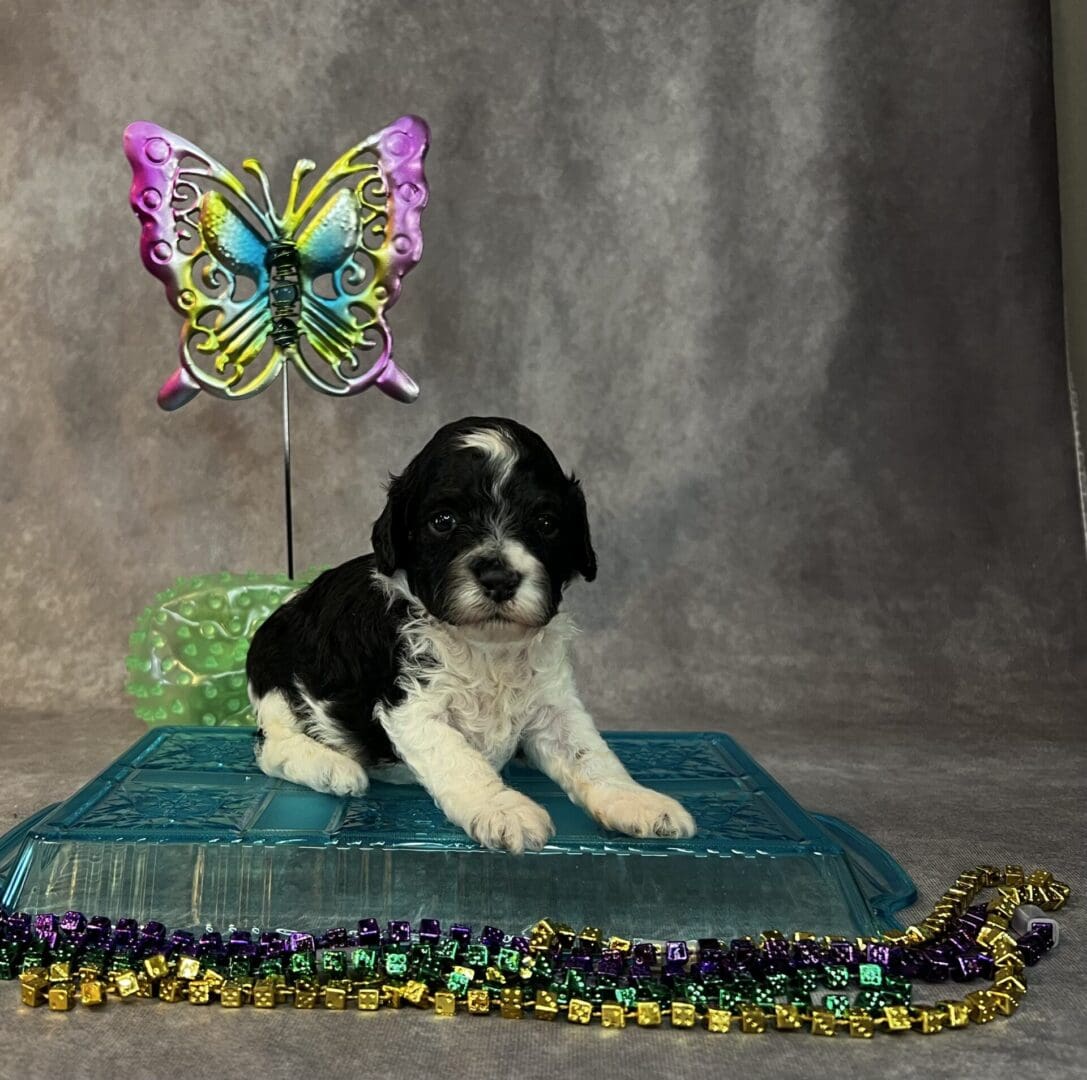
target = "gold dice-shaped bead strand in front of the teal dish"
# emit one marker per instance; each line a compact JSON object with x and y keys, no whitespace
{"x":185,"y":979}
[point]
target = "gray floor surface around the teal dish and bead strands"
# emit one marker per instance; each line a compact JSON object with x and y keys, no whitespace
{"x":997,"y":783}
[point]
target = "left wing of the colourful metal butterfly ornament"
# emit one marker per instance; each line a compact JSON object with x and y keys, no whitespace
{"x":205,"y":237}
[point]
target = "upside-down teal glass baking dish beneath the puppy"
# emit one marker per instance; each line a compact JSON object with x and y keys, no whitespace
{"x":185,"y":830}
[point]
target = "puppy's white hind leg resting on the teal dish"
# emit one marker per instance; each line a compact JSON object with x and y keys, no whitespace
{"x":286,"y":751}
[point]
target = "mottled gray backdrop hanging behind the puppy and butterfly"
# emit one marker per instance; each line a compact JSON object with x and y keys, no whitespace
{"x":780,"y":280}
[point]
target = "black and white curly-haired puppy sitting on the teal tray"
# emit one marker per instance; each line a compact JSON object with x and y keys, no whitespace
{"x":443,"y":655}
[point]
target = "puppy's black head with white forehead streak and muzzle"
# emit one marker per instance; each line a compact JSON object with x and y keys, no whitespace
{"x":486,"y":526}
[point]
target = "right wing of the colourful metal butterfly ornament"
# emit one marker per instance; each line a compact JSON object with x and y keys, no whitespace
{"x":363,"y":242}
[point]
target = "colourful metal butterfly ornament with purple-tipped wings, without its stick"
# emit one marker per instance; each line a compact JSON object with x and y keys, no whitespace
{"x":257,"y":288}
